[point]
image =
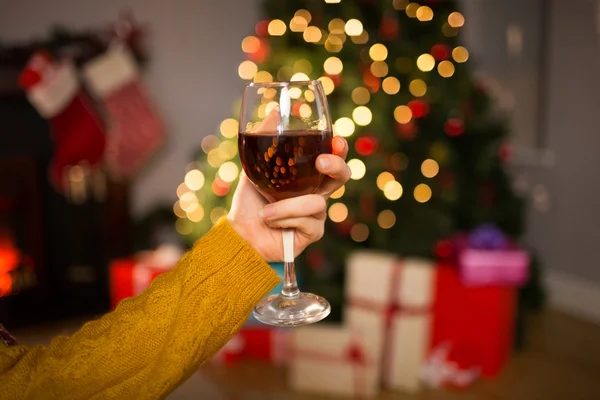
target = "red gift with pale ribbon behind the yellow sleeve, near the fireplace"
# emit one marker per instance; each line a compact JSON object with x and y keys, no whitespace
{"x":131,"y":276}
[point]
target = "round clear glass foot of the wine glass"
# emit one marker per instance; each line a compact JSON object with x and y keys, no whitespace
{"x":304,"y":309}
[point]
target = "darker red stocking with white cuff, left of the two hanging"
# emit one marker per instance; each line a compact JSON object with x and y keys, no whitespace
{"x":53,"y":89}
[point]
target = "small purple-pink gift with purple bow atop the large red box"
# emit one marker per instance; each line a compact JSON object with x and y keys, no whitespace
{"x":486,"y":257}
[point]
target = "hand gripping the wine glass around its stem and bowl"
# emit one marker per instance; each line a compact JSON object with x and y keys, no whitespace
{"x":260,"y":223}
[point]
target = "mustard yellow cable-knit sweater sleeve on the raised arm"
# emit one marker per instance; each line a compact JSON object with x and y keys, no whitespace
{"x":153,"y":342}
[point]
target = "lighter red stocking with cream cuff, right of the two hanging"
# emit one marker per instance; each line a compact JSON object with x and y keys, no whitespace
{"x":135,"y":130}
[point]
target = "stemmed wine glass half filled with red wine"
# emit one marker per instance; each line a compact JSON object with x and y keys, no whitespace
{"x":284,"y":127}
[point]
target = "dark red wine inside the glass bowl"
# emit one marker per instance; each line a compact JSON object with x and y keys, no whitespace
{"x":283,"y":165}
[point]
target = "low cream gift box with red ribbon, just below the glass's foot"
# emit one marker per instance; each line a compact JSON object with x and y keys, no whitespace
{"x":331,"y":360}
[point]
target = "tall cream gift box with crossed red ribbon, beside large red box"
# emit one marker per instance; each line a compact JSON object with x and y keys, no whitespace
{"x":389,"y":302}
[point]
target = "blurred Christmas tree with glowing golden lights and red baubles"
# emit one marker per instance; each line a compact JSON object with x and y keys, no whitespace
{"x":427,"y":150}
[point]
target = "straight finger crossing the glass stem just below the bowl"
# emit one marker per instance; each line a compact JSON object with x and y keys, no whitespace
{"x":297,"y":207}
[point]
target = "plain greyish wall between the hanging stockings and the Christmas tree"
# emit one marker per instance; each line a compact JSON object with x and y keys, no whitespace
{"x":192,"y":74}
